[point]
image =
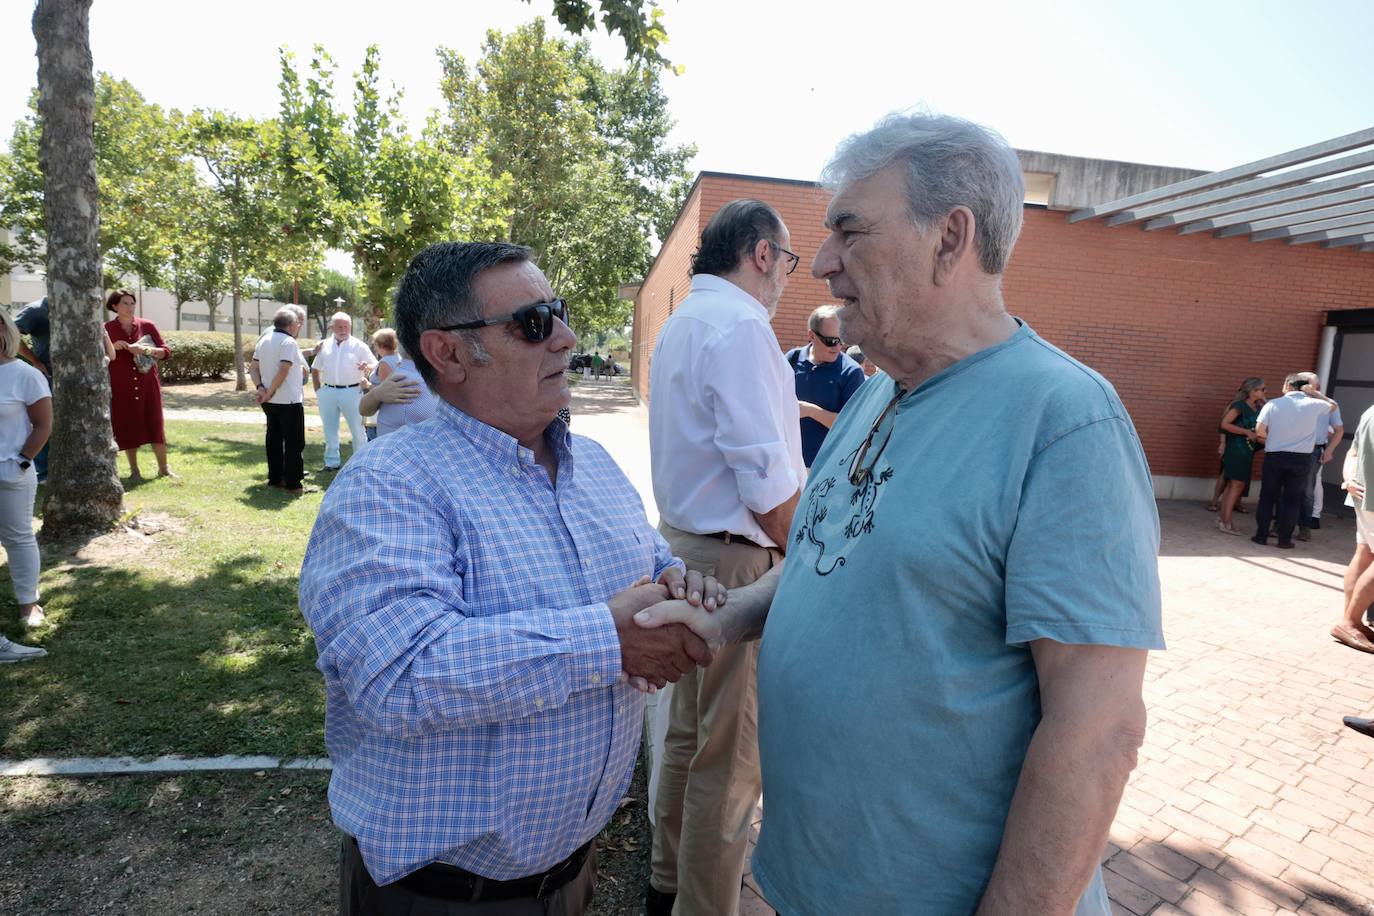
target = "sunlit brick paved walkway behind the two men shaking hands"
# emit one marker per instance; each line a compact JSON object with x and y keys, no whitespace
{"x":1251,"y":797}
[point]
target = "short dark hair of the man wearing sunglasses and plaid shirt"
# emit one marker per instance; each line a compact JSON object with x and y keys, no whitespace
{"x":438,"y":292}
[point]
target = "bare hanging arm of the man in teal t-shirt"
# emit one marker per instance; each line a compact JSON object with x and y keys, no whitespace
{"x":1078,"y":766}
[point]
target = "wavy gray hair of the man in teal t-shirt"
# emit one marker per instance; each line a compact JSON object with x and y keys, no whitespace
{"x":949,"y":163}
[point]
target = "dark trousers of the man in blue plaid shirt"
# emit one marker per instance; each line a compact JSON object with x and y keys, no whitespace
{"x":359,"y":895}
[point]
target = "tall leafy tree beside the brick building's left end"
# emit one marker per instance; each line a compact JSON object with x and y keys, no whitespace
{"x":593,"y":174}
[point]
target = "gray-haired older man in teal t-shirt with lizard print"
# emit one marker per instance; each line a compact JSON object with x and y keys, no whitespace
{"x":950,"y":682}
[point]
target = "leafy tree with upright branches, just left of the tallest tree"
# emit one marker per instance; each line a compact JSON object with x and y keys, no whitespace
{"x":359,"y":182}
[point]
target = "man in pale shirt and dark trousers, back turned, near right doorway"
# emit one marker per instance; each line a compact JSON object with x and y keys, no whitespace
{"x":1288,"y":428}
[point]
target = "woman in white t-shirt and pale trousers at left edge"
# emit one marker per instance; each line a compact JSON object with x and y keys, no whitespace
{"x":25,"y":425}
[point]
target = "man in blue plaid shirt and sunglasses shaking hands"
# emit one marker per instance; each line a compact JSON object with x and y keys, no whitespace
{"x":472,"y":584}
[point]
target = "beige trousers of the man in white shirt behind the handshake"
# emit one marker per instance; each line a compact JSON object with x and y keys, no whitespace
{"x":708,"y":783}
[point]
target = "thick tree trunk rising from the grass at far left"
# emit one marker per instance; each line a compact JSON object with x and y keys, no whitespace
{"x":83,"y":495}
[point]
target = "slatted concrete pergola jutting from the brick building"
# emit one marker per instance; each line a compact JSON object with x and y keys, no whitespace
{"x":1320,"y":194}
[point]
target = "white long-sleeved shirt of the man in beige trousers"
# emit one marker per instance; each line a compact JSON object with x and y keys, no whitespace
{"x":725,"y":429}
